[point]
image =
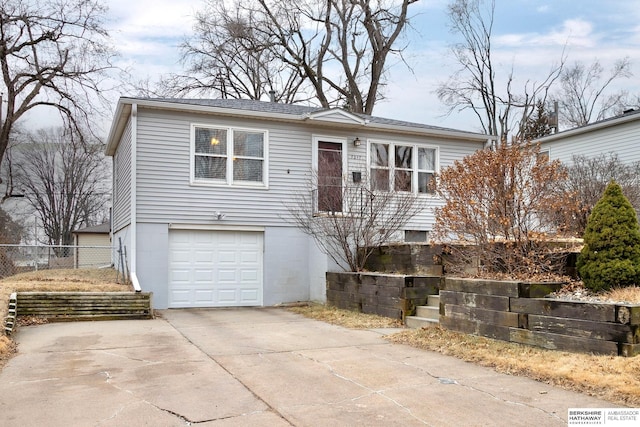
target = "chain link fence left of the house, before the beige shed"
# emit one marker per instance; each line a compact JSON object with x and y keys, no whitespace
{"x":16,"y":259}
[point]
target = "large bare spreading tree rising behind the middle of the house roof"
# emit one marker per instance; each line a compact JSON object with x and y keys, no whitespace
{"x":334,"y":51}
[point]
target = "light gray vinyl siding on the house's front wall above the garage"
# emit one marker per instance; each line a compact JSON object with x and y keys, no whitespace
{"x":164,"y":193}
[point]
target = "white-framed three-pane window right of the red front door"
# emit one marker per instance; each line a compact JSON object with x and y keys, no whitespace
{"x":402,"y":168}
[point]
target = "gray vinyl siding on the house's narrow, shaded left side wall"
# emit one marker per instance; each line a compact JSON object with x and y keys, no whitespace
{"x":122,"y":181}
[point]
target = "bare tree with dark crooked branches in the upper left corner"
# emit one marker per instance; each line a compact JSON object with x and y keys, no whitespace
{"x":52,"y":54}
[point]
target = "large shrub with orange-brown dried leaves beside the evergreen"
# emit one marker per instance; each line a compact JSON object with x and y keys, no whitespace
{"x":497,"y":209}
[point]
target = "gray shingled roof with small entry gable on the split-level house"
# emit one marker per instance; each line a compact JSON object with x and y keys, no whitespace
{"x":279,"y":112}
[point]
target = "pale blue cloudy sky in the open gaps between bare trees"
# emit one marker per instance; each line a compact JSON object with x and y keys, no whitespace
{"x":529,"y":36}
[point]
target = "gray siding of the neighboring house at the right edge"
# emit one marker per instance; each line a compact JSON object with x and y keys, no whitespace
{"x":623,"y":139}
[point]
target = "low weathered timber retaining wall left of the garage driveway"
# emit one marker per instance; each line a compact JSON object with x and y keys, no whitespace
{"x":71,"y":306}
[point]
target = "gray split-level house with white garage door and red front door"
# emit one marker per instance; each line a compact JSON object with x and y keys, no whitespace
{"x":200,"y":188}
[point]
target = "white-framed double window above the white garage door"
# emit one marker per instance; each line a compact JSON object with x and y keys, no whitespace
{"x":228,"y":156}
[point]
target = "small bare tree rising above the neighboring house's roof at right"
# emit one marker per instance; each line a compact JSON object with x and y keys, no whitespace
{"x":583,"y":96}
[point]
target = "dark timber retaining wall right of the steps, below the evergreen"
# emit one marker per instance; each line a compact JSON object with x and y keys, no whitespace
{"x":517,"y":312}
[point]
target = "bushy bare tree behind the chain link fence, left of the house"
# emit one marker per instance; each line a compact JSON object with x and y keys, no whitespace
{"x":63,"y":180}
